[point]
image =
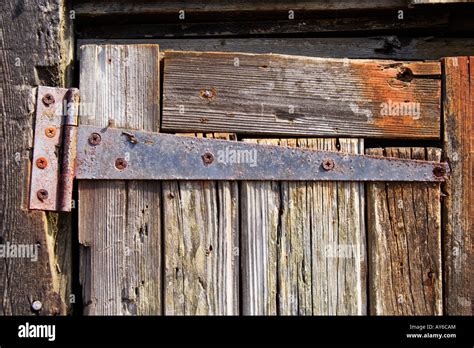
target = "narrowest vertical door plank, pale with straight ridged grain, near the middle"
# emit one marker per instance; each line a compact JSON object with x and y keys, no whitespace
{"x":259,"y":221}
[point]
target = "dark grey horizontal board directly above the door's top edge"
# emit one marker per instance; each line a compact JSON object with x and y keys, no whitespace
{"x":381,"y":47}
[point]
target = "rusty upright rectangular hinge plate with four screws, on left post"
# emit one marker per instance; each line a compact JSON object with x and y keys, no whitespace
{"x":52,"y":171}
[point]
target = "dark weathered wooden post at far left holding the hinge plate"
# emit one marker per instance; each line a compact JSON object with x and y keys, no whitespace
{"x":39,"y":57}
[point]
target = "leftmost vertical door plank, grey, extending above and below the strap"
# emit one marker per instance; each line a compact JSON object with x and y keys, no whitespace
{"x":119,"y":222}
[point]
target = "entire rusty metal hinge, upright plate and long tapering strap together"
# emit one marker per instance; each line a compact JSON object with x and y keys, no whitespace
{"x":63,"y":151}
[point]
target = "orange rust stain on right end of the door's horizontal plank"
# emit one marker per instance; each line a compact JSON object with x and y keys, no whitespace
{"x":401,"y":103}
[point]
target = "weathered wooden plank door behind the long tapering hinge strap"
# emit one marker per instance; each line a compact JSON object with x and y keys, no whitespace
{"x":275,"y":248}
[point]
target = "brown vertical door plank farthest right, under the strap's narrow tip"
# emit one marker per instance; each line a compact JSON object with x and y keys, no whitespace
{"x":404,"y":242}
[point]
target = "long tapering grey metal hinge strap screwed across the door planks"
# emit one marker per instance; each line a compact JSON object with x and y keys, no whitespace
{"x":120,"y":154}
